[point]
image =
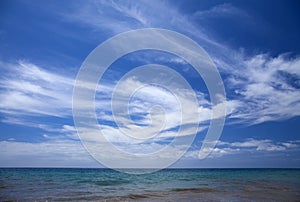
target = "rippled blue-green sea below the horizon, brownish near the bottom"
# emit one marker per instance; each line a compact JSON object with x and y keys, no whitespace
{"x":65,"y":184}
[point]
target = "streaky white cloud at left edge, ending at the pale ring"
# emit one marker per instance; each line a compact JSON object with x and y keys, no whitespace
{"x":26,"y":89}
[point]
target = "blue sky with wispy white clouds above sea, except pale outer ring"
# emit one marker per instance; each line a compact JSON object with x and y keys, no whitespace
{"x":254,"y":45}
